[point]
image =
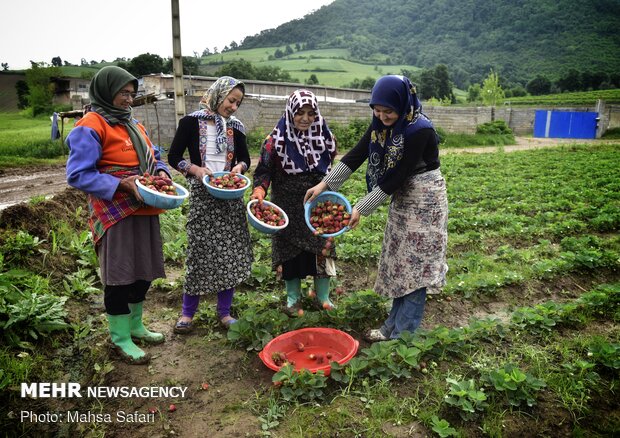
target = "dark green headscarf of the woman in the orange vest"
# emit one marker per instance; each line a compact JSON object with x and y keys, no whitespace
{"x":105,"y":85}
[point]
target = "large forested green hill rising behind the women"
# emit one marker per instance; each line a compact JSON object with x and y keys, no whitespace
{"x":517,"y":38}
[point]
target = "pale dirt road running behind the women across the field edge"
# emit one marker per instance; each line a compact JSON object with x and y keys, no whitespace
{"x":21,"y":184}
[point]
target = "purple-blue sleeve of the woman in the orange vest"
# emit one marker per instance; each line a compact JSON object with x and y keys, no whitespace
{"x":82,"y":173}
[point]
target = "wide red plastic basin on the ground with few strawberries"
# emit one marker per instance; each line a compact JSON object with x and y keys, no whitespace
{"x":317,"y":341}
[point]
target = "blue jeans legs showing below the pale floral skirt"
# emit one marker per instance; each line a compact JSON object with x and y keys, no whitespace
{"x":405,"y":315}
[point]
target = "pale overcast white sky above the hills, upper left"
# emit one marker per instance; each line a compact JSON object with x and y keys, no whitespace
{"x":38,"y":30}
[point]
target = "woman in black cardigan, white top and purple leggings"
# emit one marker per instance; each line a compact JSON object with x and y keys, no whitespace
{"x":219,"y":253}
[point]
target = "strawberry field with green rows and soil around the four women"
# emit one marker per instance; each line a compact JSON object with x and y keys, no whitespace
{"x":524,"y":341}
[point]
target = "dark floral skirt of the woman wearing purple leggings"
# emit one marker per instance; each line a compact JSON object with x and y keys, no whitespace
{"x":219,"y":251}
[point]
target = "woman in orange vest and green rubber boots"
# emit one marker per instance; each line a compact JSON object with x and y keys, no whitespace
{"x":109,"y":150}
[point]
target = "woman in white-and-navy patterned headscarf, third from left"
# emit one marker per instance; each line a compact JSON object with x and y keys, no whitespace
{"x":295,"y":156}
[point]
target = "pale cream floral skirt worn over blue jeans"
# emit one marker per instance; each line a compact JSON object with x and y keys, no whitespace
{"x":416,"y":238}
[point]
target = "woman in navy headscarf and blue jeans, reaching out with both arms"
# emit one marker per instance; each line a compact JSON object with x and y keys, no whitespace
{"x":401,"y":147}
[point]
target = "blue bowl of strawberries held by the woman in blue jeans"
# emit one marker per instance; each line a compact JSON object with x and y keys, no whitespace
{"x":328,"y":215}
